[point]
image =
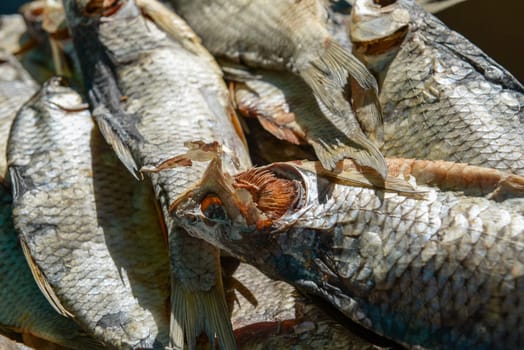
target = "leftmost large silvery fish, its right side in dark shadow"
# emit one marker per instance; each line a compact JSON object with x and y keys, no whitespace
{"x":90,"y":233}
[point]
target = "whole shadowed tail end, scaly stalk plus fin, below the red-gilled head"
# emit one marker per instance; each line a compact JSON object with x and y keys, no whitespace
{"x":198,"y":301}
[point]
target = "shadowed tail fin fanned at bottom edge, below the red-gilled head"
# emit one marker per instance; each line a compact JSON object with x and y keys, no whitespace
{"x":194,"y":312}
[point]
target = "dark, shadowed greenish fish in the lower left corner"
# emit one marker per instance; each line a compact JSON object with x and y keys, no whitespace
{"x":23,"y":308}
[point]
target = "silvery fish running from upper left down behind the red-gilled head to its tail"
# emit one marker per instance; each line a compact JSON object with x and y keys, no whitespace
{"x":154,"y":91}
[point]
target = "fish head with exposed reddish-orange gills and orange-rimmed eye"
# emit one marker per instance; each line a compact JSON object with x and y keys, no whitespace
{"x":236,"y":212}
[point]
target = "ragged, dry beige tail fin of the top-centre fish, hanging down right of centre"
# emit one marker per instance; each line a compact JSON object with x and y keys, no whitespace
{"x":331,"y":76}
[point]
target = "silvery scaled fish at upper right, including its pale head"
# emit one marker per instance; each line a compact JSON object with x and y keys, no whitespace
{"x":442,"y":97}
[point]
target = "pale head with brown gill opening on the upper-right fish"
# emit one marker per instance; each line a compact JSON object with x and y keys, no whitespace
{"x":378,"y":28}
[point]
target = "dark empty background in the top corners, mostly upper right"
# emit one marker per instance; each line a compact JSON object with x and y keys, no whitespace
{"x":497,"y":27}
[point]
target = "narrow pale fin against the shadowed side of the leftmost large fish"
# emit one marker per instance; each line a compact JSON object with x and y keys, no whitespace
{"x":111,"y":135}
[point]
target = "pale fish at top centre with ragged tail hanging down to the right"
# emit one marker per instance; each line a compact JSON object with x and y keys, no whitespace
{"x":293,"y":36}
